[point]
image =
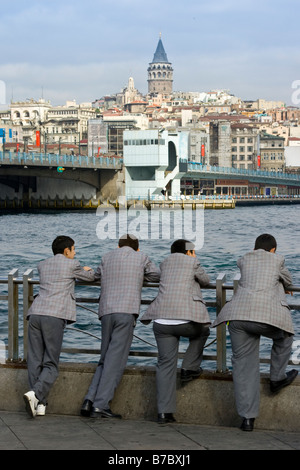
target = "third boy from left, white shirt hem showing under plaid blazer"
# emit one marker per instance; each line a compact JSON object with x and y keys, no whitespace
{"x":178,"y":310}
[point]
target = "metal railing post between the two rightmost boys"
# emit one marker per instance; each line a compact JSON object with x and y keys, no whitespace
{"x":221,"y":329}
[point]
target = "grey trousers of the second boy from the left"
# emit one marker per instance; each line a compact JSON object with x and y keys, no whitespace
{"x":117,"y":333}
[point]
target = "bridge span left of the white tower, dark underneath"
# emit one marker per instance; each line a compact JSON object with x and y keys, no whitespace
{"x":26,"y":177}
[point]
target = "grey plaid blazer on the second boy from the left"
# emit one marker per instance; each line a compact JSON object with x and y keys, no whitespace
{"x":122,"y":273}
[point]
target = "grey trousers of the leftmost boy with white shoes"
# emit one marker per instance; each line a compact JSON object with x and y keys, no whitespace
{"x":45,"y":336}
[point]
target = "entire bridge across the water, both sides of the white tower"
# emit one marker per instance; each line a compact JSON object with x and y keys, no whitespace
{"x":32,"y":177}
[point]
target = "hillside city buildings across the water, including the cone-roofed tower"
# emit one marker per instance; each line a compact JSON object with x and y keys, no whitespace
{"x":222,"y":129}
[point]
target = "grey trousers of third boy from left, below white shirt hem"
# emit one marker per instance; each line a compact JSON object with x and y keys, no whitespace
{"x":167,"y":338}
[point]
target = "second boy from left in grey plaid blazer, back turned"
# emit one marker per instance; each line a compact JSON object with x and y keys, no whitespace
{"x":122,"y":273}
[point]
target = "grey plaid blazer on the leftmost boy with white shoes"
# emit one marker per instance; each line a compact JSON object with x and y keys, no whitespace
{"x":56,"y":296}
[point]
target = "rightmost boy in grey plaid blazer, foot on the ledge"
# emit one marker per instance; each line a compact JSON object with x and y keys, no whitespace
{"x":259,"y":308}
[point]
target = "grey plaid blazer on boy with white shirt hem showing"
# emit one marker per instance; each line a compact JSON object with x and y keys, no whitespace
{"x":179,"y":295}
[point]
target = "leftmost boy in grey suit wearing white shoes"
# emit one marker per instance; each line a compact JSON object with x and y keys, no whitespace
{"x":53,"y":307}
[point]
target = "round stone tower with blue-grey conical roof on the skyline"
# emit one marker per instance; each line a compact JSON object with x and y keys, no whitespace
{"x":160,"y":72}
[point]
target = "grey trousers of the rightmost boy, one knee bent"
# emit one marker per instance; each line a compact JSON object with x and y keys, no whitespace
{"x":245,"y":340}
